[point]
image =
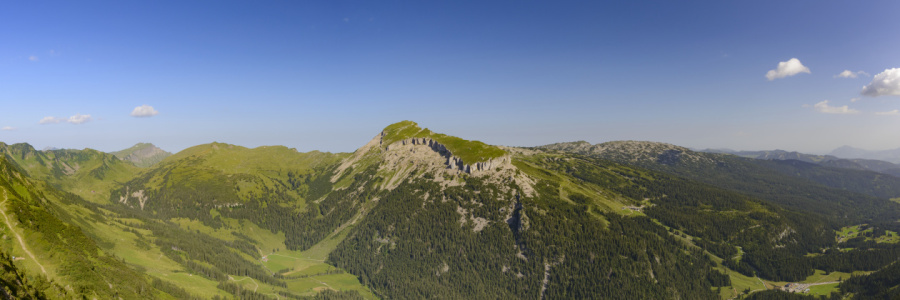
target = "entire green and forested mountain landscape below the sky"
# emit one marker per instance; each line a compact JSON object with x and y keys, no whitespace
{"x":417,"y":214}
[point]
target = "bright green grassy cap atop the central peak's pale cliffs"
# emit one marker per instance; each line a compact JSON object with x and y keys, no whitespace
{"x":469,"y":151}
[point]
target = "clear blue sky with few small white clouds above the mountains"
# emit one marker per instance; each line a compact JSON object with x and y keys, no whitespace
{"x":328,"y":75}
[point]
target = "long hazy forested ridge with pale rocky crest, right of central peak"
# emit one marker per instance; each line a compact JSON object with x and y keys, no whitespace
{"x":829,"y":191}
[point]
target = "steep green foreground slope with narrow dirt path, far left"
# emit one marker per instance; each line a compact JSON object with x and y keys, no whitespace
{"x":39,"y":231}
